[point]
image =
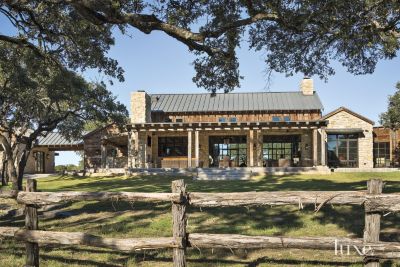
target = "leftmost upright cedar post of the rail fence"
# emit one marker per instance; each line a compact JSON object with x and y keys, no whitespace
{"x":31,"y":223}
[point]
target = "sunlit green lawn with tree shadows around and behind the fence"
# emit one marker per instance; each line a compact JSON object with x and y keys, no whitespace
{"x":120,"y":219}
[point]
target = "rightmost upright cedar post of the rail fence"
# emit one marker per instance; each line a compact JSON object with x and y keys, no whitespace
{"x":372,"y":226}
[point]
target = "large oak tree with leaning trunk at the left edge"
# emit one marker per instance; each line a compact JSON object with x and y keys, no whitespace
{"x":37,"y":97}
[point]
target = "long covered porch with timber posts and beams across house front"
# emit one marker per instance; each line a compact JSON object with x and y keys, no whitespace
{"x":227,"y":145}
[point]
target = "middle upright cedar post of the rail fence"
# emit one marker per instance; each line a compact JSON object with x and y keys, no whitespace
{"x":179,"y":221}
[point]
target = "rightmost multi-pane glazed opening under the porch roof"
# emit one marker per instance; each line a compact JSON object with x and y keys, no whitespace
{"x":280,"y":147}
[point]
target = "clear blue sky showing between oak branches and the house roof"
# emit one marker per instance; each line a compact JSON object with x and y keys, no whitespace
{"x":159,"y":64}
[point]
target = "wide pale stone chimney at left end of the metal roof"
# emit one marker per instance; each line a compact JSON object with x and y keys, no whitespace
{"x":140,"y":107}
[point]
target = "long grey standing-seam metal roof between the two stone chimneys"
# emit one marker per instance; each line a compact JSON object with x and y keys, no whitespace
{"x":258,"y":101}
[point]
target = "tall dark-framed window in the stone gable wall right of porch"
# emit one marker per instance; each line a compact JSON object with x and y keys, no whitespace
{"x":343,"y":150}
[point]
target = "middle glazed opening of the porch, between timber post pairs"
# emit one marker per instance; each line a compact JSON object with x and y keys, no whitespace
{"x":228,"y":151}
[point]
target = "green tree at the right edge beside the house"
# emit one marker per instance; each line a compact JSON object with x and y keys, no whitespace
{"x":391,"y":118}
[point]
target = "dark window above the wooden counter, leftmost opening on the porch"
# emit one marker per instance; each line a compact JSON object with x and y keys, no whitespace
{"x":172,"y":146}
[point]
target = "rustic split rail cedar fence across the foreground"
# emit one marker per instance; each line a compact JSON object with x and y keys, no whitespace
{"x":373,"y":200}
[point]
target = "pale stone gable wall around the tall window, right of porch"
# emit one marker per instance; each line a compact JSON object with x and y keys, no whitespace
{"x":345,"y":120}
